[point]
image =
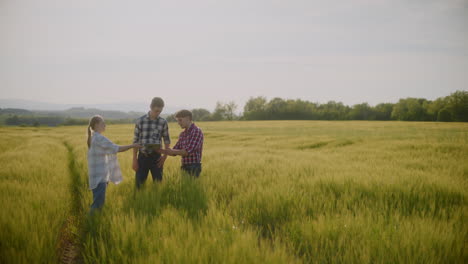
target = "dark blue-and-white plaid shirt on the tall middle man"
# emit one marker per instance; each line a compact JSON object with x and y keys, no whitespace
{"x":149,"y":131}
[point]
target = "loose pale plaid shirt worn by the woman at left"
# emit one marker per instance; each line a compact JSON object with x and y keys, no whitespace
{"x":102,"y":161}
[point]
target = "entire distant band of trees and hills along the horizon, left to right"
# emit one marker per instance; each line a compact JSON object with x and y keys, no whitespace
{"x":452,"y":108}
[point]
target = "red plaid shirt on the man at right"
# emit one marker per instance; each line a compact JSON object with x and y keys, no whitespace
{"x":191,"y":139}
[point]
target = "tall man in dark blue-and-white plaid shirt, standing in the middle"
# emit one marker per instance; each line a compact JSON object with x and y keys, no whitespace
{"x":150,"y":129}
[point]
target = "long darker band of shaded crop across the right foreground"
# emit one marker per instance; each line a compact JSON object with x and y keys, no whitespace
{"x":270,"y":210}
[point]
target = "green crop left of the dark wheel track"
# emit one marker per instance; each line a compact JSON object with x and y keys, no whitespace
{"x":34,"y":194}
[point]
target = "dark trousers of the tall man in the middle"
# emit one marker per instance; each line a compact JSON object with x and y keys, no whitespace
{"x":148,"y":163}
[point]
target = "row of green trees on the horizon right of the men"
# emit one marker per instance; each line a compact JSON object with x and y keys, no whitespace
{"x":452,"y":108}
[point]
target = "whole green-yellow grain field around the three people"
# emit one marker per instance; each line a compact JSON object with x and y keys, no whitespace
{"x":269,"y":192}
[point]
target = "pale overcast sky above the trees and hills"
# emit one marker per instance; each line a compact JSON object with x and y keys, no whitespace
{"x":196,"y":52}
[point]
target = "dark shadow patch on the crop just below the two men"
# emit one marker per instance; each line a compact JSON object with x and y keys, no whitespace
{"x":180,"y":192}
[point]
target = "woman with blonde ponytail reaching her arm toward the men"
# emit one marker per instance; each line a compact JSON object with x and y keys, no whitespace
{"x":102,"y":161}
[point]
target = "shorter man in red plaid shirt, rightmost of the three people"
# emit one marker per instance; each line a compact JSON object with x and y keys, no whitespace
{"x":189,"y":145}
